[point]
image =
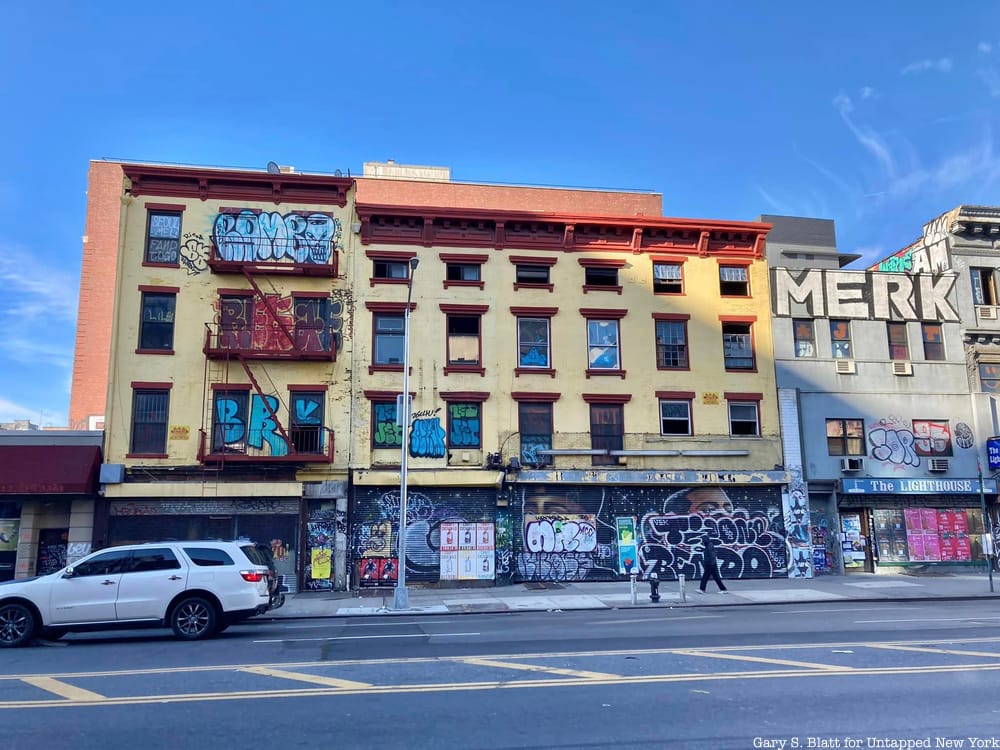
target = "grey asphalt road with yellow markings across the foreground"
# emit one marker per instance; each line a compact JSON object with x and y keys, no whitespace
{"x":917,"y":674}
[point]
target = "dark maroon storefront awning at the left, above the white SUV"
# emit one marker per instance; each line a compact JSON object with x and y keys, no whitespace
{"x":49,"y":469}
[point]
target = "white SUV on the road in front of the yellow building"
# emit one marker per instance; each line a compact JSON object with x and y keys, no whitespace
{"x":196,"y":588}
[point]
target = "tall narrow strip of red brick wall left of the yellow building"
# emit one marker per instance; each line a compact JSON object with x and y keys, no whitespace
{"x":97,"y":286}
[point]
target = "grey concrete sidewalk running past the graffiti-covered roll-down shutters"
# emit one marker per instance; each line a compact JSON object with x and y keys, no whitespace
{"x":616,"y":595}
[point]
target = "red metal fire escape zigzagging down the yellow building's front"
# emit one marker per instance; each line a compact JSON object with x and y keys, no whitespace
{"x":268,"y":329}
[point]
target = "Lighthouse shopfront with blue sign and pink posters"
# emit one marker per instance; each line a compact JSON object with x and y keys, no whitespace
{"x":892,"y":523}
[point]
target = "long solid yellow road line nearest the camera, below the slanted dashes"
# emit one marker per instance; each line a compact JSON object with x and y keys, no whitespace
{"x":467,"y":686}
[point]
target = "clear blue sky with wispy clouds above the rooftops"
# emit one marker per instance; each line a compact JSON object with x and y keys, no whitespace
{"x":878,"y":115}
